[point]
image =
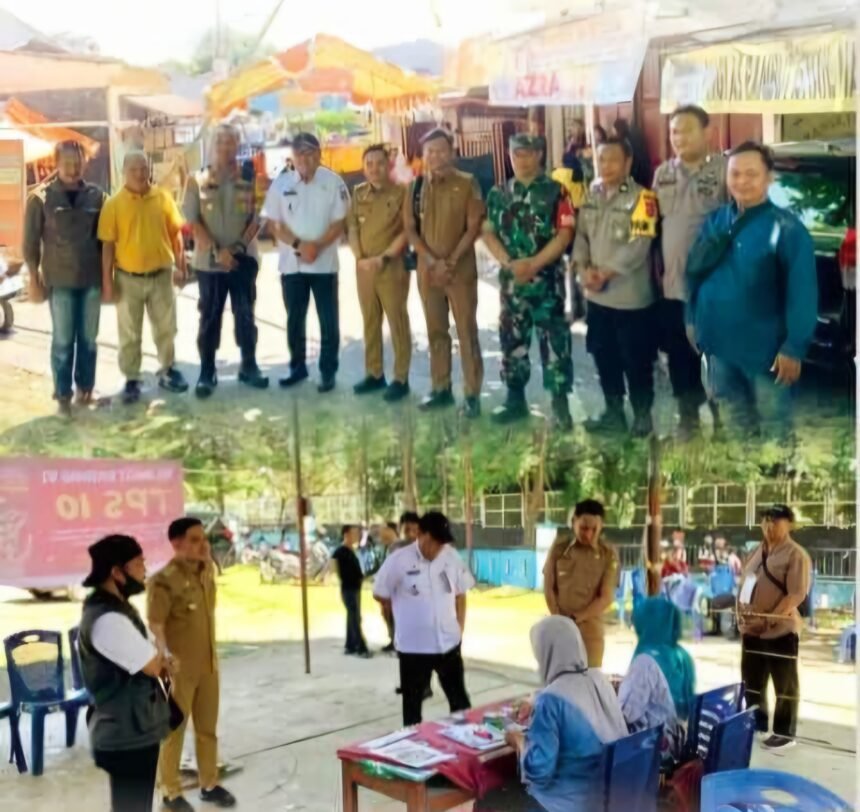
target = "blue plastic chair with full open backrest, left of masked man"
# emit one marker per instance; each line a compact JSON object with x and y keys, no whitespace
{"x":34,"y":660}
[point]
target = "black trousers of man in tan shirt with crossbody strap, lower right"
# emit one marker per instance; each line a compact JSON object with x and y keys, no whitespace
{"x":763,"y":660}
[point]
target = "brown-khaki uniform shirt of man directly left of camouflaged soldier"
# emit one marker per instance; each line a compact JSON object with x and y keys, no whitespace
{"x":443,"y":207}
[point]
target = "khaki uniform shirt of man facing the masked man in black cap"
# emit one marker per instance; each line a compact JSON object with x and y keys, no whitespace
{"x":181,"y":597}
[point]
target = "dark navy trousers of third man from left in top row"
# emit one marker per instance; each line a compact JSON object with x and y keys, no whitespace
{"x":215,"y":286}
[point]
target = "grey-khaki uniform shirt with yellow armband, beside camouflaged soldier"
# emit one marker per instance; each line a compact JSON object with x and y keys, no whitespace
{"x":614,"y":233}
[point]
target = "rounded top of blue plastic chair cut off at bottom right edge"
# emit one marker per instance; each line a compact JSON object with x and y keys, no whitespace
{"x":742,"y":790}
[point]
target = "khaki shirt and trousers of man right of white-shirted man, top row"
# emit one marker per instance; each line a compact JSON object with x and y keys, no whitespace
{"x":375,"y":220}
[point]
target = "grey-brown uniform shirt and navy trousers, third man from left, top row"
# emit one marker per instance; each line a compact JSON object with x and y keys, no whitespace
{"x":225,"y":206}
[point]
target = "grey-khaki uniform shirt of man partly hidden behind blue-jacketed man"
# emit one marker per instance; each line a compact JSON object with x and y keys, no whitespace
{"x":686,"y":198}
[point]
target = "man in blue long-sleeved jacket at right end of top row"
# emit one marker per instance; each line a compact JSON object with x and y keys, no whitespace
{"x":753,"y":297}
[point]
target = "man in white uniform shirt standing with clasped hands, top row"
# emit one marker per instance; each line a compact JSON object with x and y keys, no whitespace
{"x":307,"y":210}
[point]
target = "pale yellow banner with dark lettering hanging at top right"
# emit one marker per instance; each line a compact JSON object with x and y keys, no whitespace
{"x":796,"y":74}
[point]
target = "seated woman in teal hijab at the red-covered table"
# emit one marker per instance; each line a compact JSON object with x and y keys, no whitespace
{"x":661,"y":682}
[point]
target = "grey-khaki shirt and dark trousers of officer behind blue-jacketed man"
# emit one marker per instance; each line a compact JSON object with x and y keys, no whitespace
{"x":685,"y":198}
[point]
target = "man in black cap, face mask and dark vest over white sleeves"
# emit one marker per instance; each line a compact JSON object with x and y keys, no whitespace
{"x":121,"y":667}
